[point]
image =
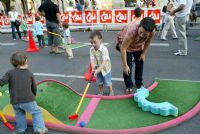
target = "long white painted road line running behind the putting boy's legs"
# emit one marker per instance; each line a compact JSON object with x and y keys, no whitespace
{"x":70,"y":76}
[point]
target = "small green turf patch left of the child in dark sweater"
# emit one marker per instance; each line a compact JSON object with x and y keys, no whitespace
{"x":4,"y":99}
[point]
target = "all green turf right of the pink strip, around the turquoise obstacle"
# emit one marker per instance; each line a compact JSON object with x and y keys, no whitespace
{"x":125,"y":114}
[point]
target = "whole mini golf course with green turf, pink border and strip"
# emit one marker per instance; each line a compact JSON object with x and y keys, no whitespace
{"x":115,"y":114}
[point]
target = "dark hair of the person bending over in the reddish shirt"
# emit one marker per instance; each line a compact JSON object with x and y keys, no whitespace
{"x":148,"y":24}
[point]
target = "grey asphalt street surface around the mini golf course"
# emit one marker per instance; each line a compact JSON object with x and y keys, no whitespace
{"x":159,"y":63}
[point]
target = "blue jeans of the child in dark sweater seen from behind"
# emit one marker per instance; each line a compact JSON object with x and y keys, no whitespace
{"x":33,"y":109}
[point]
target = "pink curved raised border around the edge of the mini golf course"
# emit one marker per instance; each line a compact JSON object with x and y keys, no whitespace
{"x":149,"y":129}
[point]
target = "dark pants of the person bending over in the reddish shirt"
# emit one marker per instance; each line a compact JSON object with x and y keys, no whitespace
{"x":138,"y":69}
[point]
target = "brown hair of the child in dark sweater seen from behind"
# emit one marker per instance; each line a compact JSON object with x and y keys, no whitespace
{"x":18,"y":59}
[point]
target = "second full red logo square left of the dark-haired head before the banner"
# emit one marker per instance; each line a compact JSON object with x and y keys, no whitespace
{"x":105,"y":16}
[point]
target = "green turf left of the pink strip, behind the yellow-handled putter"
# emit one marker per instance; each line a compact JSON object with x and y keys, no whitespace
{"x":59,"y":101}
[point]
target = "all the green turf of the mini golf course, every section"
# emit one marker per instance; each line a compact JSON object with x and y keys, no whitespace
{"x":114,"y":114}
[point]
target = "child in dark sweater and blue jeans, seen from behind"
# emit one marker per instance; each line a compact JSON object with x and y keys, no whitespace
{"x":22,"y":89}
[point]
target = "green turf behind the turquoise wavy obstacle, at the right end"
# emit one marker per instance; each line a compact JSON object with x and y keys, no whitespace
{"x":182,"y":94}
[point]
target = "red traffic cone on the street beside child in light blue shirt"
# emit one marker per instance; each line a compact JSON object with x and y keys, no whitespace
{"x":32,"y":46}
